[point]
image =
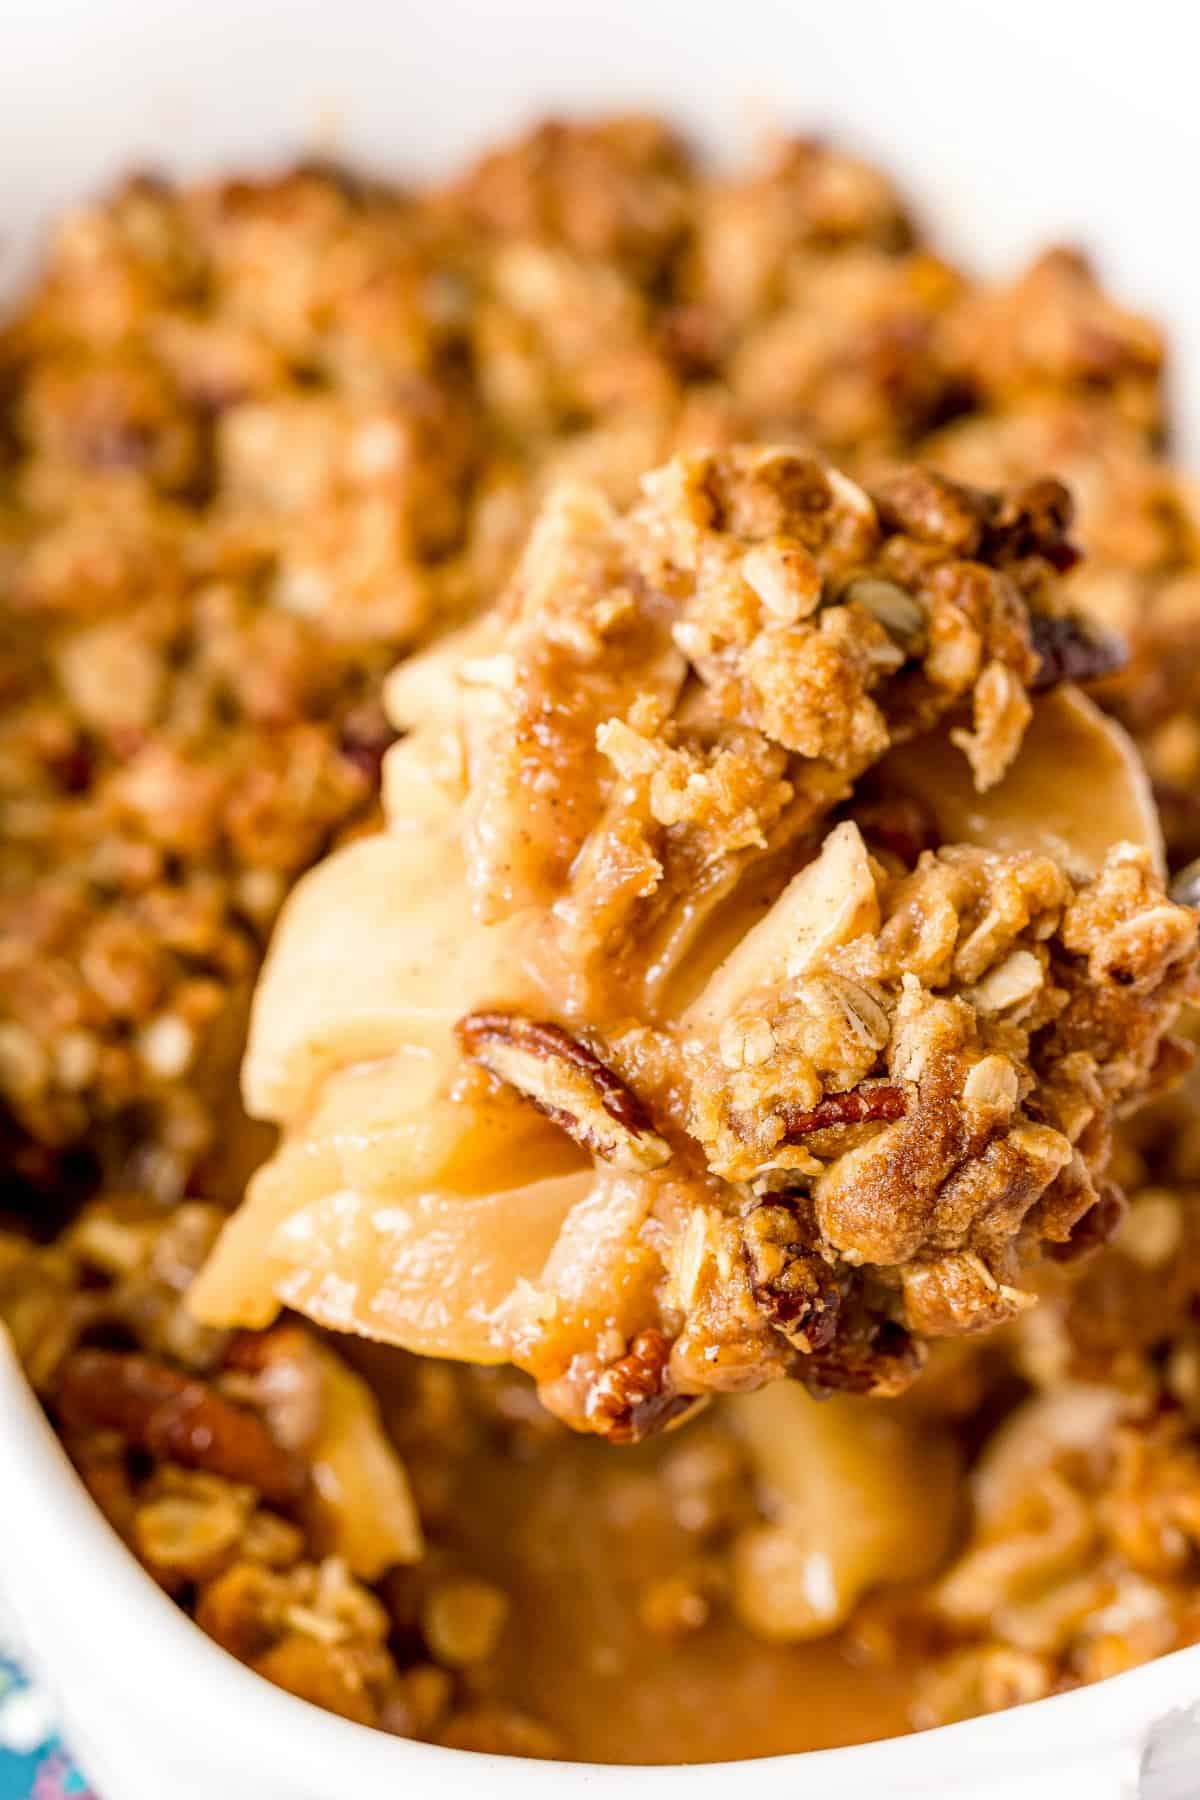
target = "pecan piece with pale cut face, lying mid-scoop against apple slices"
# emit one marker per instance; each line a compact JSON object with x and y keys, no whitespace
{"x":569,"y":1084}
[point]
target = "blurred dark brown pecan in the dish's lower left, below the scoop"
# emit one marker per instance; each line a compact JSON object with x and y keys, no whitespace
{"x":166,"y":1414}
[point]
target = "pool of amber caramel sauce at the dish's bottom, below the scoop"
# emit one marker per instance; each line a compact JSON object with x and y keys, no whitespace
{"x":577,"y":1536}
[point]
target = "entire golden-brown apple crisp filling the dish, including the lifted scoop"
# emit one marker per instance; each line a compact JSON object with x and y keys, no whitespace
{"x":737,"y":964}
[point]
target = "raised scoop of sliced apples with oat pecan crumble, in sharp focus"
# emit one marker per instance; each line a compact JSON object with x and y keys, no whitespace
{"x":654,"y":1050}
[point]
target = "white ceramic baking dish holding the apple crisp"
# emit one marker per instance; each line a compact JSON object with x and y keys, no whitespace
{"x":1014,"y":123}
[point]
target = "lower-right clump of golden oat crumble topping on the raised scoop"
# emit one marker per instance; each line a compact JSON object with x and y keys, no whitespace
{"x":949,"y":1124}
